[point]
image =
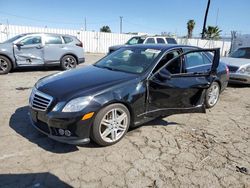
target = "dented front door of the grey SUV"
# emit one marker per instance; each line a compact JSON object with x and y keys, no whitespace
{"x":29,"y":51}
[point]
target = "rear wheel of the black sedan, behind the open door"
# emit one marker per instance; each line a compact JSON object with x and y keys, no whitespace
{"x":212,"y":95}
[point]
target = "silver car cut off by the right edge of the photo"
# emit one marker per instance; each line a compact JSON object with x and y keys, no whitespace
{"x":239,"y":65}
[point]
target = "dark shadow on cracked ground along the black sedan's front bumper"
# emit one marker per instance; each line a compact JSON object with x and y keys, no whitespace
{"x":20,"y":123}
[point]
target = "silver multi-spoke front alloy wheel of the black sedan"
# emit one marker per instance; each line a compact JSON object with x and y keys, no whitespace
{"x":113,"y":125}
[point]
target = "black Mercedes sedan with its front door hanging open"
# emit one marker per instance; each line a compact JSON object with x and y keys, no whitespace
{"x":129,"y":87}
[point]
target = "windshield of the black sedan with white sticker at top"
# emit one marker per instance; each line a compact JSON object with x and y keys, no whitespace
{"x":131,"y":60}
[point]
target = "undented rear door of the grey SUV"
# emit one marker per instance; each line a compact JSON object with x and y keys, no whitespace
{"x":54,"y":48}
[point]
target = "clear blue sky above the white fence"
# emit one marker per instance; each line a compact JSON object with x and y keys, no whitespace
{"x":152,"y":17}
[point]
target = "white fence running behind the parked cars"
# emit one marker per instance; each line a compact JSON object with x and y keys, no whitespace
{"x":98,"y":42}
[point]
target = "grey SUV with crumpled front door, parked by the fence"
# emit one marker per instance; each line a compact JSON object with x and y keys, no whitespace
{"x":36,"y":49}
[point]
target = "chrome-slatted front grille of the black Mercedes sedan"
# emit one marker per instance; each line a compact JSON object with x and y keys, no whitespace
{"x":40,"y":101}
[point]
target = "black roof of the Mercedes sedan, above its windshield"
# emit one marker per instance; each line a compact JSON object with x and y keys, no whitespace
{"x":163,"y":47}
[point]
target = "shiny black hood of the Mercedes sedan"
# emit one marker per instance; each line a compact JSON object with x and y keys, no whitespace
{"x":84,"y":81}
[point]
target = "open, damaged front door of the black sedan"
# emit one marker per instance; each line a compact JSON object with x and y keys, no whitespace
{"x":172,"y":89}
